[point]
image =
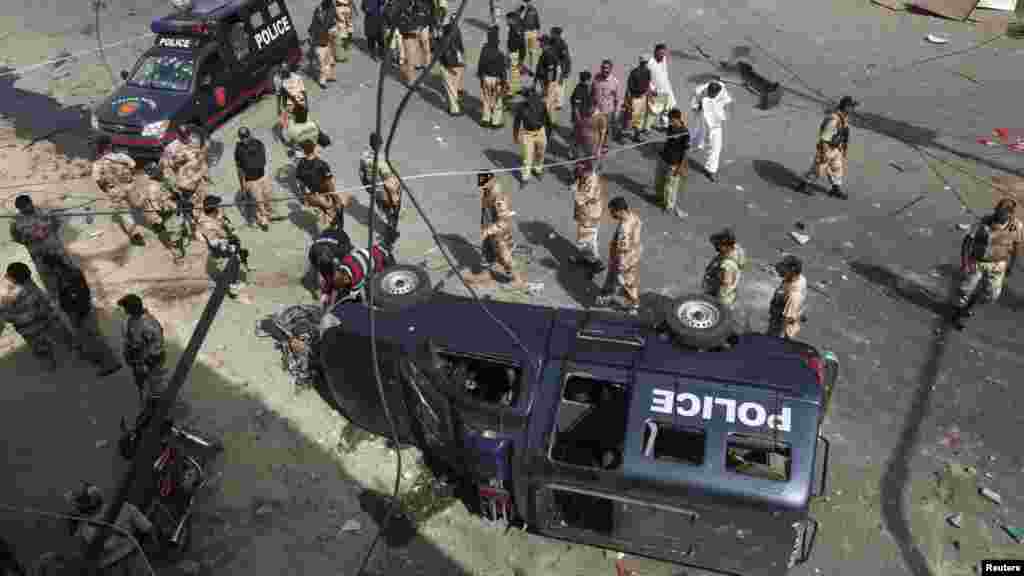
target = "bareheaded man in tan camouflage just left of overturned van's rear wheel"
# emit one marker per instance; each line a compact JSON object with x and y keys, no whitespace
{"x":624,"y":255}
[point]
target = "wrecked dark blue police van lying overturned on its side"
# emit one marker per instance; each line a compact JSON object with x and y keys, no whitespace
{"x":677,"y":440}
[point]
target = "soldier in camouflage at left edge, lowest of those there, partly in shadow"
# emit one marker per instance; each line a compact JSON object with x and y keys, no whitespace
{"x":34,"y":317}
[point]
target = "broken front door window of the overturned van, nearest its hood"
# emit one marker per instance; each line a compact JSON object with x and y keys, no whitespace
{"x":482,"y":380}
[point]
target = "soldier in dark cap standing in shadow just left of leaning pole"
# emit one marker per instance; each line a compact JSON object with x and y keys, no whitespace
{"x":144,"y":350}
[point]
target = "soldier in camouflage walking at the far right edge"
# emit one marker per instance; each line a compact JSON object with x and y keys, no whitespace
{"x":988,"y":258}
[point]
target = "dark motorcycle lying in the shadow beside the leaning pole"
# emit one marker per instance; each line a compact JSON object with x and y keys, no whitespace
{"x":180,"y":473}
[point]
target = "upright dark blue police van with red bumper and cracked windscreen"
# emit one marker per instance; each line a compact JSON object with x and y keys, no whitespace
{"x":208,"y":60}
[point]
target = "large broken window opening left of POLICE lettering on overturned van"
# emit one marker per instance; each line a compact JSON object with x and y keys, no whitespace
{"x":590,"y":429}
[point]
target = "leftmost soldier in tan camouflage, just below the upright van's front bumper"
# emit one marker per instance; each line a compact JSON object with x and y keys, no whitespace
{"x":115,"y":175}
